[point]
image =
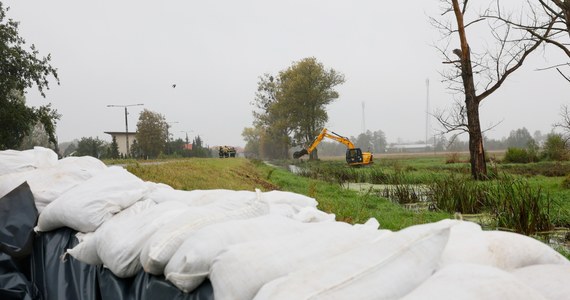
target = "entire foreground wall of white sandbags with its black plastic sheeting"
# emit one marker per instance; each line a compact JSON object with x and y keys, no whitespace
{"x":102,"y":233}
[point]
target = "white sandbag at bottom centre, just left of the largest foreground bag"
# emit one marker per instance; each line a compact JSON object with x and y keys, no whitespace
{"x":241,"y":270}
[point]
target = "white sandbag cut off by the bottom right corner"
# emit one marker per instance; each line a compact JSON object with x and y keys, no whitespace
{"x":551,"y":281}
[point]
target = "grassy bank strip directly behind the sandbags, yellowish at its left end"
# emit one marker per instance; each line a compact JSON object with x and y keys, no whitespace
{"x":242,"y":174}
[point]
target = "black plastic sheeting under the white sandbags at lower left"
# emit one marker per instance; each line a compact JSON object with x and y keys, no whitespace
{"x":33,"y":267}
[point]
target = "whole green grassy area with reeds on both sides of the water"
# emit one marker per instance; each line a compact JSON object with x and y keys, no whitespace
{"x":327,"y":180}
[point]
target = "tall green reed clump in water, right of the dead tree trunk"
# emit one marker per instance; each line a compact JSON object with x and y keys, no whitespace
{"x":516,"y":205}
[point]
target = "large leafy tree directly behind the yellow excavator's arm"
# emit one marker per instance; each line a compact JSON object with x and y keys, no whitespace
{"x":291,"y":106}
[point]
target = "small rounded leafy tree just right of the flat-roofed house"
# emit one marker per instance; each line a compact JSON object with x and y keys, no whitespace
{"x":151,"y":133}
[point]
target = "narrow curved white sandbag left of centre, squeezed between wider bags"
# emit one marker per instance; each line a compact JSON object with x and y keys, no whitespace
{"x":164,"y":243}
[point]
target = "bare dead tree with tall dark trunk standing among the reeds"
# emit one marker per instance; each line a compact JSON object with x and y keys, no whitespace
{"x":476,"y":75}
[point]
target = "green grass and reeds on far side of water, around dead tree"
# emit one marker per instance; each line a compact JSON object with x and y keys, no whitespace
{"x":526,"y":191}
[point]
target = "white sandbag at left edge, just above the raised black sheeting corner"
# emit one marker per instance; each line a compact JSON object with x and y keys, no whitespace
{"x":47,"y":184}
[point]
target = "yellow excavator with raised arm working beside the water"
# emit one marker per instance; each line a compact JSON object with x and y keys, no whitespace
{"x":354,"y":156}
